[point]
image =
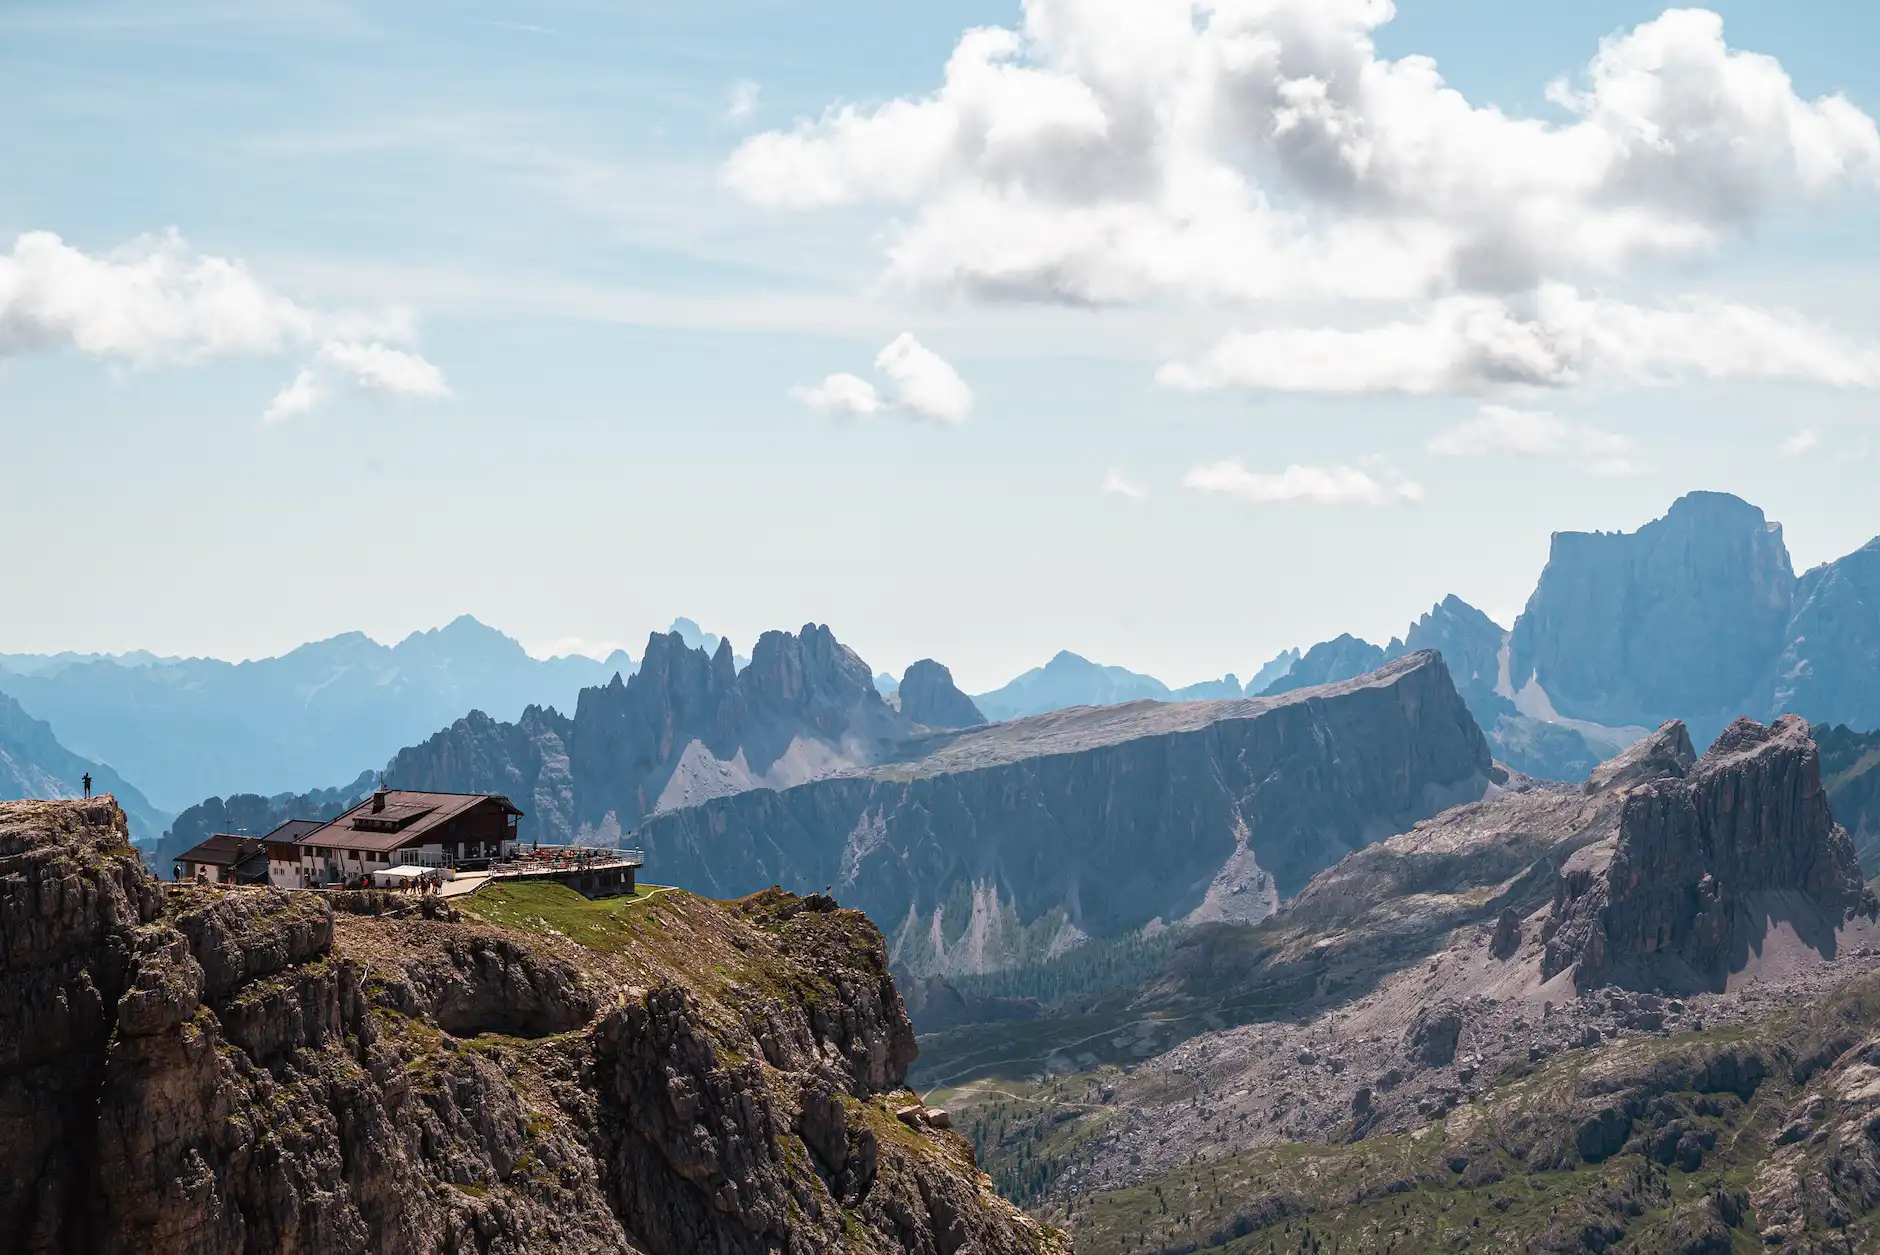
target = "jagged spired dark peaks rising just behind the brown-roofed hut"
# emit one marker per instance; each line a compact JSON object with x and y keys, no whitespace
{"x":683,"y":730}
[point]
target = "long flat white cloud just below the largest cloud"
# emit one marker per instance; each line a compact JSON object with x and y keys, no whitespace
{"x":1548,"y":341}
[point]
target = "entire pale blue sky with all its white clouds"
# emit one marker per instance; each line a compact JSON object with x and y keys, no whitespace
{"x":1172,"y":335}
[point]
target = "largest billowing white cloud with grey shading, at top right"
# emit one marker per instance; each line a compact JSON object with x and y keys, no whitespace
{"x":1259,"y":149}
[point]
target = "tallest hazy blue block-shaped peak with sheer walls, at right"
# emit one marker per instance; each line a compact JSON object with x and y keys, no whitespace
{"x":1678,"y":621}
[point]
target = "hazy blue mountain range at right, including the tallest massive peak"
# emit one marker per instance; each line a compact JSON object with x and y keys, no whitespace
{"x":1697,"y":617}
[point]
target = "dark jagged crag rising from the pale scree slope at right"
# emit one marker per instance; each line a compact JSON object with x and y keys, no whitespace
{"x":1704,"y":865}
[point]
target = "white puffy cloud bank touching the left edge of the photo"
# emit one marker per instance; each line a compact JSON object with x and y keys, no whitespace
{"x":157,"y":303}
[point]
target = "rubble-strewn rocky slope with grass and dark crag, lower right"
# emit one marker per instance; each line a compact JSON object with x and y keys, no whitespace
{"x":1400,"y":1061}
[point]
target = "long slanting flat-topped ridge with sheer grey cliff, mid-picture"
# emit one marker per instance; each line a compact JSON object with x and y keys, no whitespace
{"x":1024,"y":841}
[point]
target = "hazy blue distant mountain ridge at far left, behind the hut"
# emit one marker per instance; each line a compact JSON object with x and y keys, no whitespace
{"x":193,"y":728}
